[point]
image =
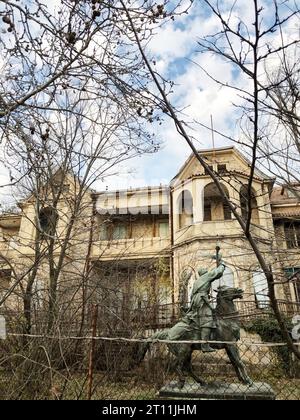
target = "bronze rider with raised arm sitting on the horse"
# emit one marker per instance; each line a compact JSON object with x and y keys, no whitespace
{"x":200,"y":314}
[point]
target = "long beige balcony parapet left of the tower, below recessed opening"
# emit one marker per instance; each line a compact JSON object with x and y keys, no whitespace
{"x":131,"y":248}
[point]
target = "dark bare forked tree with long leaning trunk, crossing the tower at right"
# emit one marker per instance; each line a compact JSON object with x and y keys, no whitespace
{"x":246,"y":46}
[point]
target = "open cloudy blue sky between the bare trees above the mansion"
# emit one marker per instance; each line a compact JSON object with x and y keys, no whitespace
{"x":177,"y":57}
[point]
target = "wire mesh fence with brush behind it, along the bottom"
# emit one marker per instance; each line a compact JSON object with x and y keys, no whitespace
{"x":104,"y":368}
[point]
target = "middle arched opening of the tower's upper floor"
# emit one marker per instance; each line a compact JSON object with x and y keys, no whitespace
{"x":215,"y":207}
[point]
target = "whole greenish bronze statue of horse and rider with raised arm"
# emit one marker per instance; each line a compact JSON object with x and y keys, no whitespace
{"x":203,"y":323}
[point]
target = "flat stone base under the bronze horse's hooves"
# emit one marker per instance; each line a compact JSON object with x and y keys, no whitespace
{"x":218,"y":391}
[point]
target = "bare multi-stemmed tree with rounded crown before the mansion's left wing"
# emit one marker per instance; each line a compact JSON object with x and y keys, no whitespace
{"x":58,"y":163}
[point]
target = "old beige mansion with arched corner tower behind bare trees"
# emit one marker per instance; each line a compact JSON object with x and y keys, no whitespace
{"x":127,"y":250}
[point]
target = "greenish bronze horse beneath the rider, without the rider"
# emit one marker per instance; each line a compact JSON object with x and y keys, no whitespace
{"x":226,"y":336}
